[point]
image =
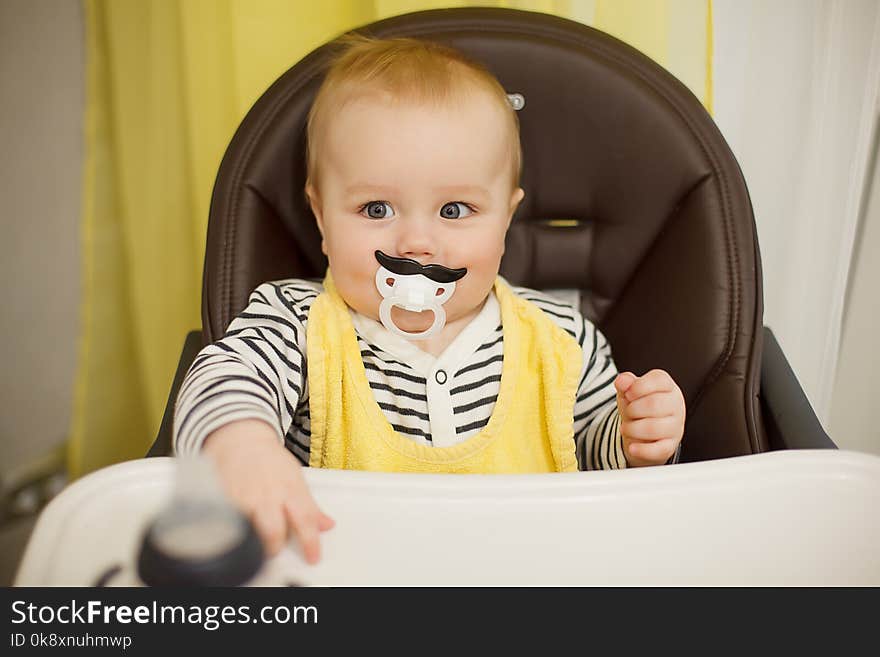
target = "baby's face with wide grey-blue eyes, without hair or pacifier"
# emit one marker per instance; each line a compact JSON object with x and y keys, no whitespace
{"x":415,"y":182}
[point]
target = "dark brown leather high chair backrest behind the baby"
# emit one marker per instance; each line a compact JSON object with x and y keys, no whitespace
{"x":632,"y":196}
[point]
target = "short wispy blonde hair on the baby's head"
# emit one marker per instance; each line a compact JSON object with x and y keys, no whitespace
{"x":411,"y":70}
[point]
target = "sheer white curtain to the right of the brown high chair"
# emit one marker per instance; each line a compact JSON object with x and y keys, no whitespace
{"x":796,"y":86}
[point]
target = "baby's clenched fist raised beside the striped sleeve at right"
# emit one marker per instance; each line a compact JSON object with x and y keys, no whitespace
{"x":652,"y":414}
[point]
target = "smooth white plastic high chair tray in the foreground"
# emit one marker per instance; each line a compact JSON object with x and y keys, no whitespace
{"x":780,"y":518}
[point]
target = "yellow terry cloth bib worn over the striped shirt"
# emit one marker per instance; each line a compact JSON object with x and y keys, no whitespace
{"x":531,"y":428}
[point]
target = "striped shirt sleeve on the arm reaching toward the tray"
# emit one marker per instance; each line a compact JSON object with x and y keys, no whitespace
{"x":256,"y":371}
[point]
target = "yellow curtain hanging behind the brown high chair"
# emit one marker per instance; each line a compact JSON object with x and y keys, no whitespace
{"x":168,"y":81}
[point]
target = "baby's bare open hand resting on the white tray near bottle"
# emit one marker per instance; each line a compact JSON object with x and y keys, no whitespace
{"x":266,"y":481}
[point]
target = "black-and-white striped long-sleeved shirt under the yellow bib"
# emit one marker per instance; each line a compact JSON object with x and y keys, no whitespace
{"x":258,"y":370}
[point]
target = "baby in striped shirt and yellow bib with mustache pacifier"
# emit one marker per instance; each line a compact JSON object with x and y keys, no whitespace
{"x":414,"y":355}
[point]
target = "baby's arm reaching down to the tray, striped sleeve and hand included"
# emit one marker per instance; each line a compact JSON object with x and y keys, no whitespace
{"x":238,"y":400}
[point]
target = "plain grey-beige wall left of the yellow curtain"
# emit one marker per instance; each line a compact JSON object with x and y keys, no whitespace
{"x":41,"y":77}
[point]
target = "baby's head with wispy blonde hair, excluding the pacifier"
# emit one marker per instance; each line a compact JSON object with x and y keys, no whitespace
{"x":413,"y":150}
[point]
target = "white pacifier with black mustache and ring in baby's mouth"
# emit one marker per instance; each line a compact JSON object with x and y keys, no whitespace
{"x":405,"y":283}
